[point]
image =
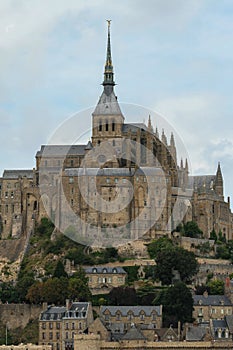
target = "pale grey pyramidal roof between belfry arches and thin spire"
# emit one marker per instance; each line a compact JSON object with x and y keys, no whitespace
{"x":107,"y":105}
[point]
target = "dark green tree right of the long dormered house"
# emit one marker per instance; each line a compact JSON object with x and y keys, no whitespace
{"x":177,"y":304}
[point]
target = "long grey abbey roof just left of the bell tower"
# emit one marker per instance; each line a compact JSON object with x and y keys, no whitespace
{"x":61,"y":150}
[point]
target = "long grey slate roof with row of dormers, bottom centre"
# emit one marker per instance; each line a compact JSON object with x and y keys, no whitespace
{"x":134,"y":309}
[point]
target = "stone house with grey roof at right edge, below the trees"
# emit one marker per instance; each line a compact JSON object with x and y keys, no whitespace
{"x":207,"y":307}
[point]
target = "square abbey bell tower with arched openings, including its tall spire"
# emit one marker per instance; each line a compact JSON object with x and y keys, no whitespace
{"x":107,"y":118}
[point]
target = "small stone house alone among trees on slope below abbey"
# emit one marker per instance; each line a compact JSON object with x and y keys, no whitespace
{"x":103,"y":279}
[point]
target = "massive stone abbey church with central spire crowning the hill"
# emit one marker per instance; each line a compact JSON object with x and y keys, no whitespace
{"x":125,"y":183}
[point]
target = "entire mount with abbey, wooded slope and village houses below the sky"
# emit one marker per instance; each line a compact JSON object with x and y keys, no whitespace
{"x":113,"y":243}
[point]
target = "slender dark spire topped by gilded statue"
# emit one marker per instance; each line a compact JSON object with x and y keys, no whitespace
{"x":108,"y":82}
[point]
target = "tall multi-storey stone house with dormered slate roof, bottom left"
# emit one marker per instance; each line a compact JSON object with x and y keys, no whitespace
{"x":58,"y":324}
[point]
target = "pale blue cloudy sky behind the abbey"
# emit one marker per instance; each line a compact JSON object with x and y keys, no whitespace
{"x":174,"y":57}
